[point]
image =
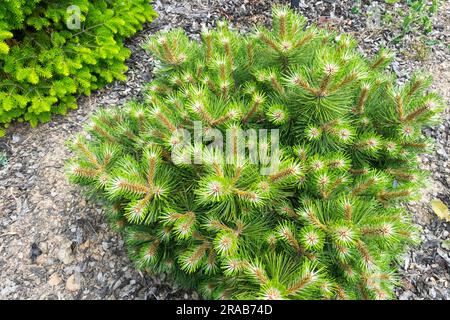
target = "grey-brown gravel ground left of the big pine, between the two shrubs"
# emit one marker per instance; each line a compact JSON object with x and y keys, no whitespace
{"x":53,"y":243}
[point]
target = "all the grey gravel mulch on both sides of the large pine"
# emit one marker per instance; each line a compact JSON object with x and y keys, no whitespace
{"x":56,"y":245}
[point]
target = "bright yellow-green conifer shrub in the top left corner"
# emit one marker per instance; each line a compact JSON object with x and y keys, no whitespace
{"x":44,"y":64}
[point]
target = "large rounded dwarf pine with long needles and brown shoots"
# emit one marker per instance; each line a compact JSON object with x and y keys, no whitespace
{"x":326,"y":224}
